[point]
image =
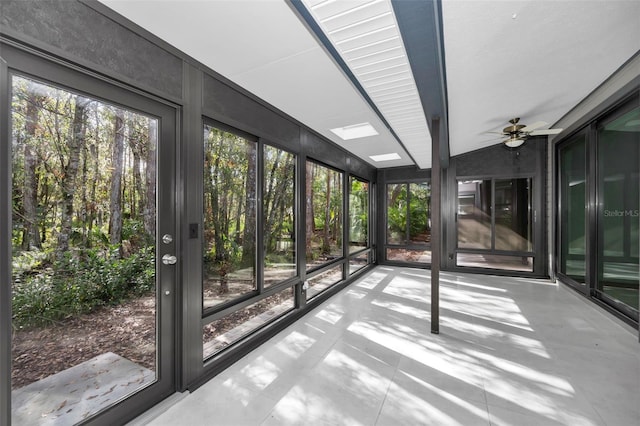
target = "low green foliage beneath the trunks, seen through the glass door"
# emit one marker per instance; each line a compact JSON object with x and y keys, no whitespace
{"x":78,"y":283}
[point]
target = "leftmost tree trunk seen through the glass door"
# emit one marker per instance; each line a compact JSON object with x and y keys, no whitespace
{"x":31,"y":235}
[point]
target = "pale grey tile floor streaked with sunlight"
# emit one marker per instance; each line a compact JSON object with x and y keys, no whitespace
{"x":511,"y":352}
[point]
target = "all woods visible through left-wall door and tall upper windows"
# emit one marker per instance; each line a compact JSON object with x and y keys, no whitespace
{"x":84,"y":207}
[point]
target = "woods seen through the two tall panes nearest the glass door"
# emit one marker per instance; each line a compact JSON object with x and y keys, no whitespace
{"x":231,"y":215}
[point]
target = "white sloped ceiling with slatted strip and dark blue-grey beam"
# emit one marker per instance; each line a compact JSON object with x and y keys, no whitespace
{"x":332,"y":64}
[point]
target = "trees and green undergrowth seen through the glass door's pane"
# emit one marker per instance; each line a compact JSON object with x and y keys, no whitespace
{"x":83,"y":203}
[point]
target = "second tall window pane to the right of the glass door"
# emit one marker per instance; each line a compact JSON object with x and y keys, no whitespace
{"x":279,"y":221}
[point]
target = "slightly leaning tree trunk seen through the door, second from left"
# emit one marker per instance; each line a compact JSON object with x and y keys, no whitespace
{"x":75,"y":144}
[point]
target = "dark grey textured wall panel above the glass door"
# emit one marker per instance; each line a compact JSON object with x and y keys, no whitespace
{"x":73,"y":30}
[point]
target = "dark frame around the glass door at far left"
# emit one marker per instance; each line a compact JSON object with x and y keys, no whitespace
{"x":49,"y":70}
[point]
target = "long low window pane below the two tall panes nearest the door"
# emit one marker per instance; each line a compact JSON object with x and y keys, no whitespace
{"x":225,"y":331}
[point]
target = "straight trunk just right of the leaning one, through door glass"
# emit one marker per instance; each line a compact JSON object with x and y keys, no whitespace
{"x":115,"y":200}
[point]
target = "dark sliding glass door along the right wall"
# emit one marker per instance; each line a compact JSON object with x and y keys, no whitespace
{"x":599,"y":209}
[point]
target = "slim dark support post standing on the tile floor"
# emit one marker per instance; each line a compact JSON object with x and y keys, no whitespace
{"x":435,"y":225}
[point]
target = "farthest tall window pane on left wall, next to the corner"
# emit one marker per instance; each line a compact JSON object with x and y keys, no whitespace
{"x":358,"y":214}
